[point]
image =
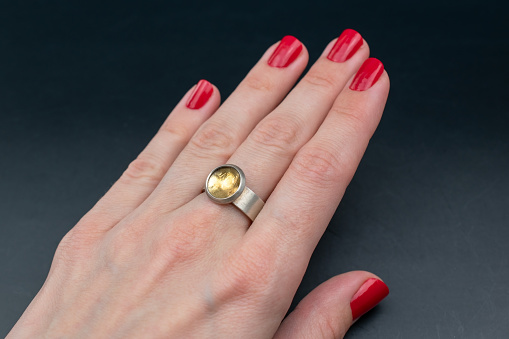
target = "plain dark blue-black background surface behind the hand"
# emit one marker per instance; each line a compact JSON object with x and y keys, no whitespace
{"x":83,"y":87}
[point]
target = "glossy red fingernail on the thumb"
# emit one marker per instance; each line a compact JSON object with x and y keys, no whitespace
{"x":368,"y":296}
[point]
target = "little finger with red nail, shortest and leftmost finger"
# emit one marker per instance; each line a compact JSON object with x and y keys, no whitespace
{"x":146,"y":171}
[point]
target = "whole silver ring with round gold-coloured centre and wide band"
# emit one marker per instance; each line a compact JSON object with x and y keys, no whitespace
{"x":227,"y":184}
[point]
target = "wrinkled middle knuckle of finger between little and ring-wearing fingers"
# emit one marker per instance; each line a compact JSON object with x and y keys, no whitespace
{"x":214,"y":137}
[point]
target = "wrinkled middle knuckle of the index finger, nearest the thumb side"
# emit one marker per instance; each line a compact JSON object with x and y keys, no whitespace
{"x":316,"y":166}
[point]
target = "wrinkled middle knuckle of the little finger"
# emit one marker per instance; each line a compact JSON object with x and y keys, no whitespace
{"x":144,"y":168}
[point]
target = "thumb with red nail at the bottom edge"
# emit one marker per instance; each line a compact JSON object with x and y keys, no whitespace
{"x":330,"y":309}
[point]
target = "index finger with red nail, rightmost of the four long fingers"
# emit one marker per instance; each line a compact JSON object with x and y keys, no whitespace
{"x":298,"y":211}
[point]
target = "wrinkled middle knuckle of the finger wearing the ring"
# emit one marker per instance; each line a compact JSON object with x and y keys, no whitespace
{"x":277,"y":133}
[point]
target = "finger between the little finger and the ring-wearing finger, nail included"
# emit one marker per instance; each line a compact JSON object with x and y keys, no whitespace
{"x":258,"y":94}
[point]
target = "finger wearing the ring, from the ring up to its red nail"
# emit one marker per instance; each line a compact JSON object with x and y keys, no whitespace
{"x":269,"y":149}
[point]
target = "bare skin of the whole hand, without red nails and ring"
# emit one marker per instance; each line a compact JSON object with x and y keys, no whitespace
{"x":156,"y":258}
